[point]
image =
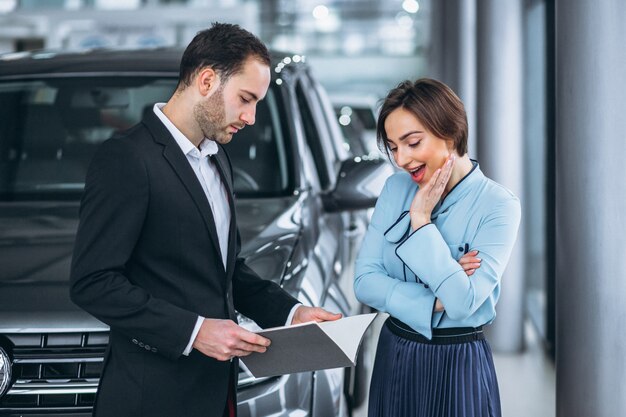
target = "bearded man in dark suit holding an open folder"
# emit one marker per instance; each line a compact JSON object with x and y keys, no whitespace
{"x":156,"y":255}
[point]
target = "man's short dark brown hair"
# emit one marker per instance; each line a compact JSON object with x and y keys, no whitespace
{"x":224,"y":47}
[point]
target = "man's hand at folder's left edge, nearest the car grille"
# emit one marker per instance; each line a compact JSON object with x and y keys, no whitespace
{"x":223,"y":340}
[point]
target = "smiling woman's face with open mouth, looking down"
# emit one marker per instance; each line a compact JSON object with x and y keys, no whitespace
{"x":415,"y":149}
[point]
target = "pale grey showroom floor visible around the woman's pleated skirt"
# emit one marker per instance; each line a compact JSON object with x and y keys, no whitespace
{"x":527,"y":380}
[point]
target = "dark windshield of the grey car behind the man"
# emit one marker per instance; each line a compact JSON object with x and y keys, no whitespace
{"x":50,"y":128}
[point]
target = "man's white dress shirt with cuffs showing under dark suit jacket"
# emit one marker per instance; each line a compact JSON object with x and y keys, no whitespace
{"x":215,"y":191}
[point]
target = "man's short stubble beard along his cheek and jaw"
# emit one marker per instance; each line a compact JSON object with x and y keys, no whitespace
{"x":210,"y":115}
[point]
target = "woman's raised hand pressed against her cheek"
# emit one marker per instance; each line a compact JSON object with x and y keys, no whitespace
{"x":429,"y":195}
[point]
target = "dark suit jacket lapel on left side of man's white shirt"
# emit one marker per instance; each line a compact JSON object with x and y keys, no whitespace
{"x":179,"y":163}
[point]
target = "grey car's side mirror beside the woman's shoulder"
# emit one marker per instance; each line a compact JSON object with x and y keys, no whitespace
{"x":359,"y":183}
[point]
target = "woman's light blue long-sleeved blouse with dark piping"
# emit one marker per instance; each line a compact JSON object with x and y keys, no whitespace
{"x":403,"y":272}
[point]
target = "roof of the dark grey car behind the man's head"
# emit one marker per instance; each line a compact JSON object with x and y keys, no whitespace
{"x":153,"y":61}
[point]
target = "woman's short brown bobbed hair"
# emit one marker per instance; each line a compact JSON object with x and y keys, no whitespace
{"x":434,"y":104}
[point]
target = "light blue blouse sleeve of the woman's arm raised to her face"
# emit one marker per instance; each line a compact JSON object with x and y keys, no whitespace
{"x":462,"y":295}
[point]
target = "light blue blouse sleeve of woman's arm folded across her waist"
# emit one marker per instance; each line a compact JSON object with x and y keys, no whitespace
{"x":410,"y":302}
